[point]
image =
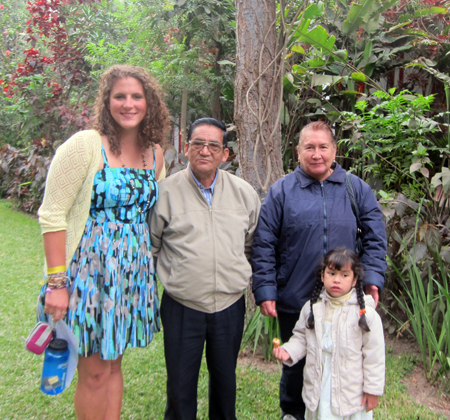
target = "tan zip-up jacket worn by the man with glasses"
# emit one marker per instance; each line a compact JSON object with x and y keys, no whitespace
{"x":203,"y":250}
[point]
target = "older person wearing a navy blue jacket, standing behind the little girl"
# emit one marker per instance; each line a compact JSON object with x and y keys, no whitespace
{"x":304,"y":215}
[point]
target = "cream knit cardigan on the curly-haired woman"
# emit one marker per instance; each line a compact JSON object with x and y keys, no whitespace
{"x":68,"y":188}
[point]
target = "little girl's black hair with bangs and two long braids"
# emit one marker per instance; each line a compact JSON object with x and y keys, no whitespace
{"x":338,"y":258}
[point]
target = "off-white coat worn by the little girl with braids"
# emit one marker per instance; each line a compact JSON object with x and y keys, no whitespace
{"x":358,"y":360}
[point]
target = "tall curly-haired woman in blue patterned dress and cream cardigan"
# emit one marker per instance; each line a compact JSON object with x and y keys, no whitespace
{"x":100,"y":281}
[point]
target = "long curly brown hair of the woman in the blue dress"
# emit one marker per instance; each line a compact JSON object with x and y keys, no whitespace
{"x":153,"y":127}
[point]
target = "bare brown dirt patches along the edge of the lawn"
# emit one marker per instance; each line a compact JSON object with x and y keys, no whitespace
{"x":419,"y":388}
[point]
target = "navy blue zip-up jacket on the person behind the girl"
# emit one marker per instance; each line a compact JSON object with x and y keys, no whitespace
{"x":302,"y":219}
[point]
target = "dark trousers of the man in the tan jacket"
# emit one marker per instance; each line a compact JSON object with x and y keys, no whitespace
{"x":185,"y":333}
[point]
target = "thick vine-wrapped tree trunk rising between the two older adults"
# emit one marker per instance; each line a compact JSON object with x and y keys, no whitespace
{"x":258,"y":93}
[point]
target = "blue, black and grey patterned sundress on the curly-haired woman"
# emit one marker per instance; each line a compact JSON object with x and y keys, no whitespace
{"x":113,"y":300}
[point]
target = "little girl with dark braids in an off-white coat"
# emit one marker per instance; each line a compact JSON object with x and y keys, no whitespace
{"x":342,"y":337}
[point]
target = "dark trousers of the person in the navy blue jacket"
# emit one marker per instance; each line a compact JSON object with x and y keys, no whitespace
{"x":291,"y":382}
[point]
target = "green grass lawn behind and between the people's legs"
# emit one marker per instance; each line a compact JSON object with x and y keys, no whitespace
{"x":21,"y":262}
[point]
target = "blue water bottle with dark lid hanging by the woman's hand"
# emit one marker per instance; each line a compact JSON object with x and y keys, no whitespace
{"x":55,"y":367}
